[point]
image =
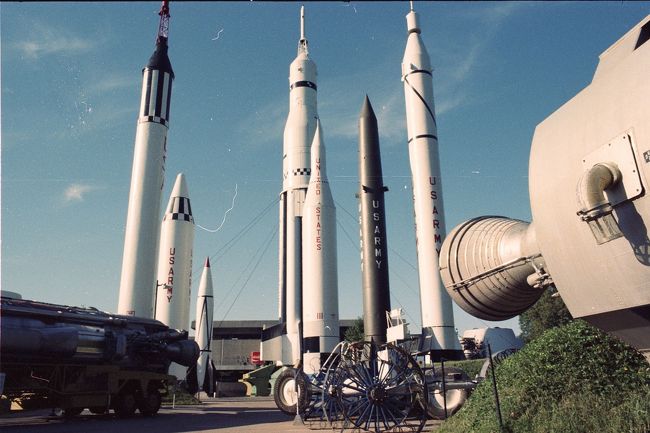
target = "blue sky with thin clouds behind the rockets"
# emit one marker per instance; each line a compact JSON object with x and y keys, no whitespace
{"x":71,"y":79}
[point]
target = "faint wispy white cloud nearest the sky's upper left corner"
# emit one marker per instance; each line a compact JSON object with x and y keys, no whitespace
{"x":45,"y":40}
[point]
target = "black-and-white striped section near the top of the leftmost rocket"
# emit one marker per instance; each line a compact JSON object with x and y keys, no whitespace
{"x":156,"y":97}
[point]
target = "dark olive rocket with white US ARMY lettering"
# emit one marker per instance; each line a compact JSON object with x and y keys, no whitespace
{"x":372,"y":216}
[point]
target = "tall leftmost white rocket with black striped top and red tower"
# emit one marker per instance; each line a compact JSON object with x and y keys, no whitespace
{"x":136,"y":296}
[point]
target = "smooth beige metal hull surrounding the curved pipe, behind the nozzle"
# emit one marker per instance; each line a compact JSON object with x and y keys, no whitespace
{"x":591,"y":278}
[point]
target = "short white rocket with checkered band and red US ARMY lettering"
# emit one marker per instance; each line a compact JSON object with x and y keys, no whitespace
{"x":175,"y":259}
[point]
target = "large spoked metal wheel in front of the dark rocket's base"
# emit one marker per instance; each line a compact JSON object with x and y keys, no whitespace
{"x":380,"y":389}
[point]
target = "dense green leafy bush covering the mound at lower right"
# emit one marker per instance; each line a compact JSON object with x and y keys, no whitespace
{"x":574,"y":379}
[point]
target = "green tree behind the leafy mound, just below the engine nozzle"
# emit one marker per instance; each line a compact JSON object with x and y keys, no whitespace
{"x":547,"y":313}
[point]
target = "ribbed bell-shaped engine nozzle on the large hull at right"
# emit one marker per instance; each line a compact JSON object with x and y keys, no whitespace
{"x":492,"y":268}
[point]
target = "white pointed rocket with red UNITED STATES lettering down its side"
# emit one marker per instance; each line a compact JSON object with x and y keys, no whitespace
{"x":320,"y":306}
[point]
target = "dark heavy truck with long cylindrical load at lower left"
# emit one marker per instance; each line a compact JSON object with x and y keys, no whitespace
{"x":73,"y":358}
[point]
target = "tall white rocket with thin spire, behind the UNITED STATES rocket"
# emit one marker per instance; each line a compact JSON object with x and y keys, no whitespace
{"x":298,"y":136}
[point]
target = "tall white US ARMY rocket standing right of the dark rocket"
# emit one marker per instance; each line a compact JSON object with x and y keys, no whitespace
{"x":438,"y":330}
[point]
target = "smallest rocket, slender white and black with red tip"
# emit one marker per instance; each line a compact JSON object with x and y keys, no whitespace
{"x":204,"y":312}
